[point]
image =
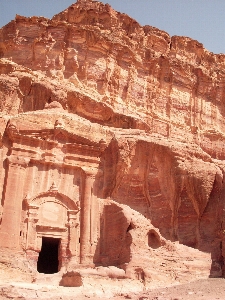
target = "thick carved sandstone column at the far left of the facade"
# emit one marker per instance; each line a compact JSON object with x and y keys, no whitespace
{"x":10,"y":227}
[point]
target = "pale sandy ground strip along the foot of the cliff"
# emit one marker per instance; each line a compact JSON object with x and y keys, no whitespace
{"x":208,"y":289}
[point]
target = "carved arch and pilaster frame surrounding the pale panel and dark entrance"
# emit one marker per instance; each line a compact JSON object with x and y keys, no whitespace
{"x":68,"y":234}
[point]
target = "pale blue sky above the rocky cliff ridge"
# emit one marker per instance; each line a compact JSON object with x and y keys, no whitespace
{"x":203,"y":20}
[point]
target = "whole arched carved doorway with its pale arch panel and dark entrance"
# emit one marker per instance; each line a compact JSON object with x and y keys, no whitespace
{"x":51,"y":216}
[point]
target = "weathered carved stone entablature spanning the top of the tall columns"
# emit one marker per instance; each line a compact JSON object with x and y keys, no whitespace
{"x":44,"y":147}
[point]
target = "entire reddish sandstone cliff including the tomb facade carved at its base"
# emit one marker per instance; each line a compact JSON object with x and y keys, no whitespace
{"x":112,"y":151}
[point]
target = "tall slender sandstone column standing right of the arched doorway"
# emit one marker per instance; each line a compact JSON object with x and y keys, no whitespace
{"x":85,"y":227}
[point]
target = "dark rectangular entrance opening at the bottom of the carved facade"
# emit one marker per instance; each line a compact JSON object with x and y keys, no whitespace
{"x":48,"y":261}
